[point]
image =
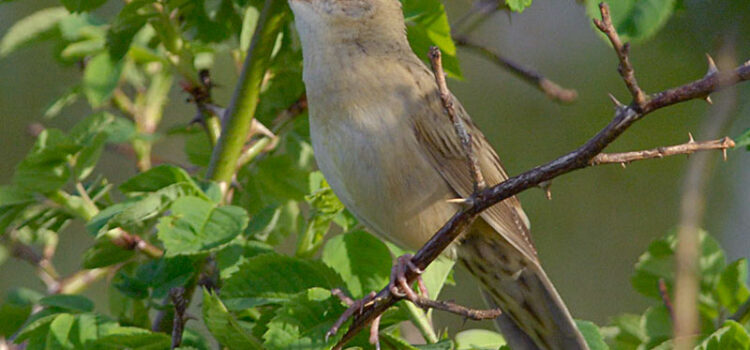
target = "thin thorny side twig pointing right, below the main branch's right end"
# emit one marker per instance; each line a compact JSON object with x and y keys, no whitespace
{"x":661,"y":152}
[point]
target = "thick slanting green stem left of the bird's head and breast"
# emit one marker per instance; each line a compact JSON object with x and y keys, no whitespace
{"x":241,"y":111}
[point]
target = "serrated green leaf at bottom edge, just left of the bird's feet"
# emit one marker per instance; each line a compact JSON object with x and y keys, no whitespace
{"x":302,"y":321}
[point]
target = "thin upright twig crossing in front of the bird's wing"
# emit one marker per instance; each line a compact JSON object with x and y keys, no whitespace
{"x":466,"y":140}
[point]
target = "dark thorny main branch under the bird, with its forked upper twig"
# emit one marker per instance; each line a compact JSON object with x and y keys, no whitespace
{"x":580,"y":158}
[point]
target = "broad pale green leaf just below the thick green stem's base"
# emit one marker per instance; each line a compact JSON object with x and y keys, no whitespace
{"x":197,"y":226}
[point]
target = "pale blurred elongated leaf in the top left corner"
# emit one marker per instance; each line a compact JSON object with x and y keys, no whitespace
{"x":36,"y":27}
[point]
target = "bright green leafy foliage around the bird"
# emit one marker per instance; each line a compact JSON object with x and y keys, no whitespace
{"x":168,"y":228}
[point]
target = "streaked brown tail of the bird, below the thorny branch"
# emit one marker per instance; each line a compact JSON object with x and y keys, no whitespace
{"x":534,"y":316}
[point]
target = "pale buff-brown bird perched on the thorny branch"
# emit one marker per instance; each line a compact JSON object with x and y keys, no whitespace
{"x":387,"y":147}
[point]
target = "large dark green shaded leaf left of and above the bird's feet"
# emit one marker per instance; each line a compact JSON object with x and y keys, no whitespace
{"x":272,"y":278}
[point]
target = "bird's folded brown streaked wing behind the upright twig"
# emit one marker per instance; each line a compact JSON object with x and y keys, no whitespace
{"x":436,"y":134}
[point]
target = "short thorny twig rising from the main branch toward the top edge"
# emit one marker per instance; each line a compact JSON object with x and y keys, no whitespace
{"x":623,"y":50}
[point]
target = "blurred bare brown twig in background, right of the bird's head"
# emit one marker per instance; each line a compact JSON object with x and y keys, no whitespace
{"x":550,"y":88}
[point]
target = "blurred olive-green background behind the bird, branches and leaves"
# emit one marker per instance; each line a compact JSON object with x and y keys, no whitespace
{"x":599,"y":220}
